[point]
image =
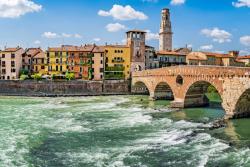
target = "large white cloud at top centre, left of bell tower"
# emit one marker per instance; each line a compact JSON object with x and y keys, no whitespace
{"x":119,"y":12}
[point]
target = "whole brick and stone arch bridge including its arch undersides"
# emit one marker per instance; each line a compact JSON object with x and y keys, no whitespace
{"x":187,"y":86}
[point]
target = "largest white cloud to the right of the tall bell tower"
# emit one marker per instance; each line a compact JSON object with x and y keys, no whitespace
{"x":217,"y":35}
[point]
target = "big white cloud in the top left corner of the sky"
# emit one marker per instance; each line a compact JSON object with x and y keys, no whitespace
{"x":17,"y":8}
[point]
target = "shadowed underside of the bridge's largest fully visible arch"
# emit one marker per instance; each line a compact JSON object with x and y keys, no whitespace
{"x":195,"y":93}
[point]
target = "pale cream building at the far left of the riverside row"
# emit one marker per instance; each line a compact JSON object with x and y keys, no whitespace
{"x":11,"y":63}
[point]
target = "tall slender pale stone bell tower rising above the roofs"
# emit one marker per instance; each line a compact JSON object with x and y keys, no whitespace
{"x":165,"y":31}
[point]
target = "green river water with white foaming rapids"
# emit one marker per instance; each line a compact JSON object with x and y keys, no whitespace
{"x":116,"y":131}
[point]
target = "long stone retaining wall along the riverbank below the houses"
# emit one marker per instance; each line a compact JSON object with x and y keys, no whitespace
{"x":63,"y":88}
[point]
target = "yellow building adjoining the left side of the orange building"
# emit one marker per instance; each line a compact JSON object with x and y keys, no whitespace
{"x":56,"y":60}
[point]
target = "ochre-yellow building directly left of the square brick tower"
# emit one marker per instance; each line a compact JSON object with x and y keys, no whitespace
{"x":117,"y":62}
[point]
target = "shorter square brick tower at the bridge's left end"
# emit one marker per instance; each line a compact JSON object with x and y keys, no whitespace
{"x":136,"y":41}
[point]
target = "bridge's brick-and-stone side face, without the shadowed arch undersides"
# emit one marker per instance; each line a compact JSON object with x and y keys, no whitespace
{"x":230,"y":82}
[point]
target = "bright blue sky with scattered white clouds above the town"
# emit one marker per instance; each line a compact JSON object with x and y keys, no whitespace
{"x":204,"y":25}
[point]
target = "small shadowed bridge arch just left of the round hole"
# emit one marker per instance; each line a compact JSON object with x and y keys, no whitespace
{"x":163,"y":91}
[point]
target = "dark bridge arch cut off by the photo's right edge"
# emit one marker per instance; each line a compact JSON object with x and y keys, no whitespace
{"x":242,"y":108}
